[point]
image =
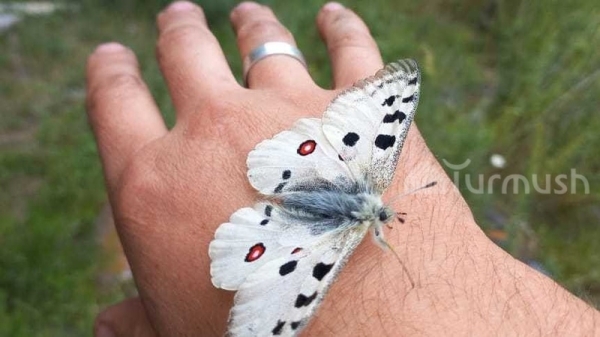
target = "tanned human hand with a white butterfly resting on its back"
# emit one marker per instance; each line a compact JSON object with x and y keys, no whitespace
{"x":170,"y":189}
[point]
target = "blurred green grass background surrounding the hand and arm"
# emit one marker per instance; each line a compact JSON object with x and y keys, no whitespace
{"x":515,"y":78}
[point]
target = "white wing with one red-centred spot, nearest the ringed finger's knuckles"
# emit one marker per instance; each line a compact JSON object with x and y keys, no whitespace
{"x":301,"y":155}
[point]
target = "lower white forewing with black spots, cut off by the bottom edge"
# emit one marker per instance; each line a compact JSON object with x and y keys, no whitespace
{"x":282,"y":295}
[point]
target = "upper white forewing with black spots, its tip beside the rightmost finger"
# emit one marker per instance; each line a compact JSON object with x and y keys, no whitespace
{"x":367,"y":124}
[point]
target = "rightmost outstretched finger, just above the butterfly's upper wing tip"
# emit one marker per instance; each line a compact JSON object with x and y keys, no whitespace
{"x":354,"y":53}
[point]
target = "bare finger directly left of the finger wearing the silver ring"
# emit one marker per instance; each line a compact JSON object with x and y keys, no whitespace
{"x":190,"y":57}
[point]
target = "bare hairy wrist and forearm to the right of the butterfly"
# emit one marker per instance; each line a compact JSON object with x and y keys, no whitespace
{"x":464,"y":283}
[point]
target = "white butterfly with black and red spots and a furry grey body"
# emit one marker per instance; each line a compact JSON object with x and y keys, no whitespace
{"x":322,"y":181}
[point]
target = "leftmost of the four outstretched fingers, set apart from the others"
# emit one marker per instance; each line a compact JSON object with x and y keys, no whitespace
{"x":120,"y":108}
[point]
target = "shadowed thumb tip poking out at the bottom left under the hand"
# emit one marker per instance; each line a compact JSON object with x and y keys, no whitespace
{"x":125,"y":319}
